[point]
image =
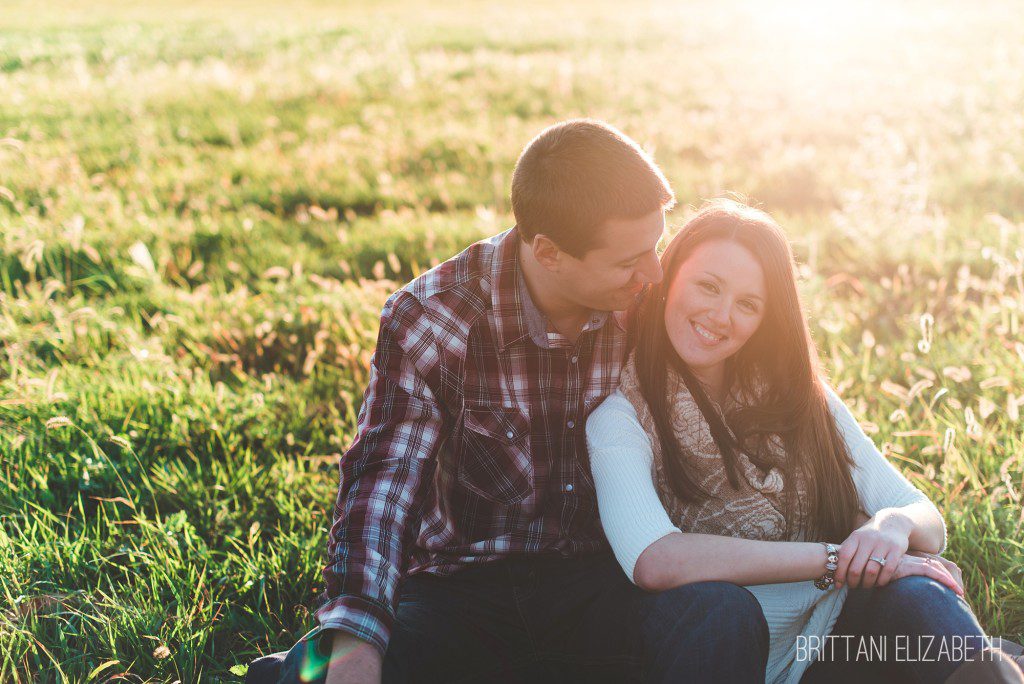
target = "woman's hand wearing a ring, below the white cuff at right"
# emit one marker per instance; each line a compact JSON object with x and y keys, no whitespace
{"x":886,"y":536}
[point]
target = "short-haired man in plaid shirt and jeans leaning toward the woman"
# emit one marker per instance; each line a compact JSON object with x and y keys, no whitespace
{"x":466,"y":543}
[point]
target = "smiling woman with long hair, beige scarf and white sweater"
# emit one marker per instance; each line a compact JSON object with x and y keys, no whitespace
{"x":723,"y":456}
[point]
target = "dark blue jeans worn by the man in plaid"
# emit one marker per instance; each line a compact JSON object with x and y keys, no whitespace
{"x":551,"y":620}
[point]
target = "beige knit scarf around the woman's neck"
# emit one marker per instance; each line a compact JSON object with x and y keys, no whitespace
{"x":754,"y":511}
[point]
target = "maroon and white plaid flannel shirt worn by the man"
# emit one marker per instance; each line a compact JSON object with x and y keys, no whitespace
{"x":471,"y":444}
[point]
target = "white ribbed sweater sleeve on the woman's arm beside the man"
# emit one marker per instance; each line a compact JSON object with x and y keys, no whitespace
{"x":622,"y":461}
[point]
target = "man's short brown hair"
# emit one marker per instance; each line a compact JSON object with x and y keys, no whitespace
{"x":578,"y":175}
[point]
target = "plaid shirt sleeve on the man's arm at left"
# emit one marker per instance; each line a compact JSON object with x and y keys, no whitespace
{"x":381,"y":478}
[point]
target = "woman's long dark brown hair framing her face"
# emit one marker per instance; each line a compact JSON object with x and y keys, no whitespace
{"x":779,"y":366}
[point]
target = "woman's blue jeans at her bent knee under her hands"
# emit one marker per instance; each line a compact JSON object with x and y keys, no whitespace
{"x":912,"y":630}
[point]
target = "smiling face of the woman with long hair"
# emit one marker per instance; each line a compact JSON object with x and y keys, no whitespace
{"x":714,"y":306}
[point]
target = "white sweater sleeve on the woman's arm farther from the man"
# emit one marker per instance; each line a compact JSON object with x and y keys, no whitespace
{"x":879,"y":484}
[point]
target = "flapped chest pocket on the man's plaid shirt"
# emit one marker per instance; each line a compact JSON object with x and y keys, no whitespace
{"x":495,"y":461}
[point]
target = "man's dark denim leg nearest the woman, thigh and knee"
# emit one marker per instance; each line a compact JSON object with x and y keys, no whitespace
{"x":591,"y":625}
